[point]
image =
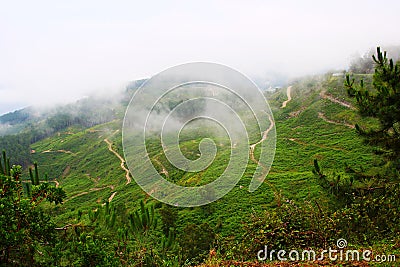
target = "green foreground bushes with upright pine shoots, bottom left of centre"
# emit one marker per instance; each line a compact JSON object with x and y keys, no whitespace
{"x":104,"y":237}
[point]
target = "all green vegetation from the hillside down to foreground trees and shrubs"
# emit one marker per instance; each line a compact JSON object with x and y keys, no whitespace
{"x":324,"y":185}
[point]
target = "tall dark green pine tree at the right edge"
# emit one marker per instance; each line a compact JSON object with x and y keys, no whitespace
{"x":382,"y":103}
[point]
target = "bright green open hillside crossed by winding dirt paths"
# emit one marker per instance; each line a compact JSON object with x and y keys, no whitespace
{"x":80,"y":161}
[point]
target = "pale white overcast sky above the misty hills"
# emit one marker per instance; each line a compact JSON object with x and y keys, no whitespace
{"x":59,"y":51}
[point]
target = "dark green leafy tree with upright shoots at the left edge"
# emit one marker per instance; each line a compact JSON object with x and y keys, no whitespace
{"x":25,"y":228}
